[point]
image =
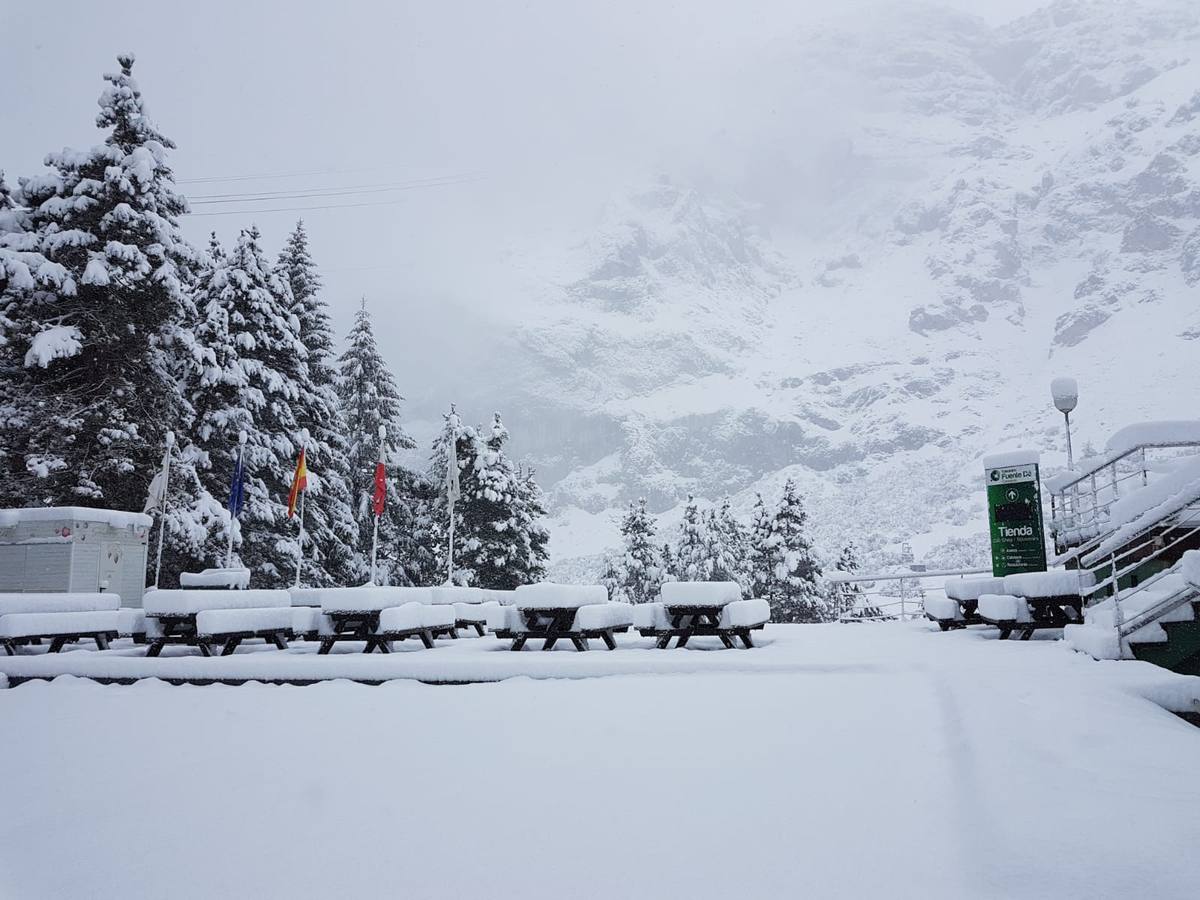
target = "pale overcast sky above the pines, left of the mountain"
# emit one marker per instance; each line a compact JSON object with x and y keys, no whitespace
{"x":495,"y":119}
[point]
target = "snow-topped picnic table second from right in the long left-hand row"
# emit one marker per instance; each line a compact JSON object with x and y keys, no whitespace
{"x":574,"y":613}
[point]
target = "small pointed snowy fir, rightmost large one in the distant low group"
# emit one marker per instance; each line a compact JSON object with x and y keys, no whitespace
{"x":795,"y":583}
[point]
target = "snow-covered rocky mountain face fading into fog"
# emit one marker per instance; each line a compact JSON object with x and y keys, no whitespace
{"x":997,"y":207}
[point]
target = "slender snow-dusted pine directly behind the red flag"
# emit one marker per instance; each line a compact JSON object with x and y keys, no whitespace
{"x":370,"y":399}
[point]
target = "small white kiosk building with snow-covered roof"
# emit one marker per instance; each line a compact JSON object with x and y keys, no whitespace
{"x":74,"y":549}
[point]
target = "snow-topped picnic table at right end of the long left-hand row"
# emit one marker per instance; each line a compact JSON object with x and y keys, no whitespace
{"x":700,"y":609}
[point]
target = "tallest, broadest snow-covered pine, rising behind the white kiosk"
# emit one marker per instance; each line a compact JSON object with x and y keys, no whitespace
{"x":98,"y":353}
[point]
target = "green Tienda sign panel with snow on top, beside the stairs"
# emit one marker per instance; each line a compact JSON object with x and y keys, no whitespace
{"x":1015,"y":515}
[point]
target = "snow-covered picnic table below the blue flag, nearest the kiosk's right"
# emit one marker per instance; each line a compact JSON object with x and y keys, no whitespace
{"x":181,"y":617}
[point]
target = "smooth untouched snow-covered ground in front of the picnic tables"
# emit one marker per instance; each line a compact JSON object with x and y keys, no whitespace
{"x":836,"y":761}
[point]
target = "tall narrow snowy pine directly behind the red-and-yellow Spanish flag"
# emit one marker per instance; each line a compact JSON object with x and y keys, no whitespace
{"x":334,"y":555}
